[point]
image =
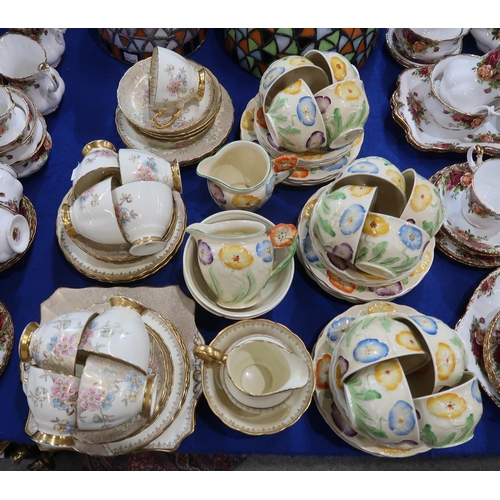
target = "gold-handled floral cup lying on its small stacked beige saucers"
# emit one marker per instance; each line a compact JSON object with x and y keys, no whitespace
{"x":169,"y":98}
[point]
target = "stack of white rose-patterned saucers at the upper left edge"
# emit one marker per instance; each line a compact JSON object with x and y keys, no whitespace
{"x":26,"y":146}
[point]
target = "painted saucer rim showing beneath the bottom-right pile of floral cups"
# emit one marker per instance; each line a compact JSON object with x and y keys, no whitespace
{"x":323,"y":397}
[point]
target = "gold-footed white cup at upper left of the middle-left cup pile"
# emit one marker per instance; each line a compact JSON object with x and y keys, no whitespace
{"x":99,"y":162}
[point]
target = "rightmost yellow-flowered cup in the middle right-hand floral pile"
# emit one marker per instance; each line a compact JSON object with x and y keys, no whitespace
{"x":424,"y":207}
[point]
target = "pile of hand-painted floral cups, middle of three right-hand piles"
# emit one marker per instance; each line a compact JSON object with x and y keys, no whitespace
{"x":371,"y":226}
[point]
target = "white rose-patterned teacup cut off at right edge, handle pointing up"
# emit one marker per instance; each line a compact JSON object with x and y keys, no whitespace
{"x":481,"y":200}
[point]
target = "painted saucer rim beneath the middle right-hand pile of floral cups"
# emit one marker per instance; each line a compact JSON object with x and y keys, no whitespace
{"x":336,"y":285}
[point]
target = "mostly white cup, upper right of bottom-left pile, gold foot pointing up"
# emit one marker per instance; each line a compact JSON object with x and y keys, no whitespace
{"x":119,"y":333}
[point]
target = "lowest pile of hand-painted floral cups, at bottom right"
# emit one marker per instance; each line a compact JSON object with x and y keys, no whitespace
{"x":399,"y":380}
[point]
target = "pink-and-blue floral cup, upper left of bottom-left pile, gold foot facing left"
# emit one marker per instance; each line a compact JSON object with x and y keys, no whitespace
{"x":54,"y":345}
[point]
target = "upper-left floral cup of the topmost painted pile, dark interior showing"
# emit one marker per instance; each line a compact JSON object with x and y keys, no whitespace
{"x":287,"y":70}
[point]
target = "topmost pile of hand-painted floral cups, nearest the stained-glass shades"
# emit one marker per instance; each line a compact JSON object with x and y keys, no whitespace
{"x":314,"y":106}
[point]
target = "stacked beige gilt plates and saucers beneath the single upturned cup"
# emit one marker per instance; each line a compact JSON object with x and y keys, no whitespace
{"x":186,"y":138}
